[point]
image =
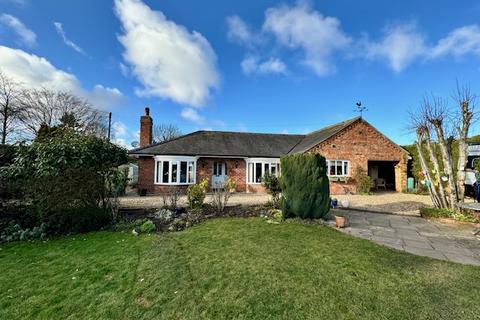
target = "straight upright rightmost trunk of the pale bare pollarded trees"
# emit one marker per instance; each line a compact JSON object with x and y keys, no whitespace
{"x":466,"y":103}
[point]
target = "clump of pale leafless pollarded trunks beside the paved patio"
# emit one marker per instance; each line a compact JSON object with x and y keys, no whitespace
{"x":437,"y":125}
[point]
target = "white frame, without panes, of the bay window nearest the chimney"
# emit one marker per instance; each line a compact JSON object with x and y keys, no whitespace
{"x":177,"y":160}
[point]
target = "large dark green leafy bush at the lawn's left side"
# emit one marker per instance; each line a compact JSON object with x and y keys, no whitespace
{"x":69,"y":181}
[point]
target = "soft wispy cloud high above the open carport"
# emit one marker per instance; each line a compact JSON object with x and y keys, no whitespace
{"x":402,"y":45}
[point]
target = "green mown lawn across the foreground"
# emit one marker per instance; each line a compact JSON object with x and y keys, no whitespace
{"x":230,"y":268}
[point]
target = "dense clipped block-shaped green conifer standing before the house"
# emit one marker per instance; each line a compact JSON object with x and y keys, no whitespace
{"x":305,"y":186}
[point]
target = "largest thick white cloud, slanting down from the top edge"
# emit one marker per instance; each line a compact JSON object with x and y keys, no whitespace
{"x":166,"y":58}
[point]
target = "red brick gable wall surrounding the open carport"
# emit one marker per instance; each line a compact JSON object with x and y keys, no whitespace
{"x":360,"y":143}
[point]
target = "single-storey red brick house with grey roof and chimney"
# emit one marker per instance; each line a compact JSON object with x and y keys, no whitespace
{"x":246,"y":157}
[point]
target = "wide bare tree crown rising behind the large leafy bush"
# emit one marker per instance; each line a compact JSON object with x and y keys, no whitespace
{"x":44,"y":107}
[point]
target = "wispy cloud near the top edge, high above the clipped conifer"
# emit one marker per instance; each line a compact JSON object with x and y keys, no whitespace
{"x":301,"y":27}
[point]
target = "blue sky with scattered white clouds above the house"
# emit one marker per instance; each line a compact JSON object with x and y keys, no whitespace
{"x":263,"y":66}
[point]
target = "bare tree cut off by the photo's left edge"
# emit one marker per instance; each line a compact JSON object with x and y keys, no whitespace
{"x":10,"y":91}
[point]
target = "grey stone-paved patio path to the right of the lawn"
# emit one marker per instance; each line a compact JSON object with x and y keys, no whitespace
{"x":453,"y":242}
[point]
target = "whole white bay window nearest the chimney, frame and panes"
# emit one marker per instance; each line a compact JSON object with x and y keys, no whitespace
{"x":175,"y":170}
